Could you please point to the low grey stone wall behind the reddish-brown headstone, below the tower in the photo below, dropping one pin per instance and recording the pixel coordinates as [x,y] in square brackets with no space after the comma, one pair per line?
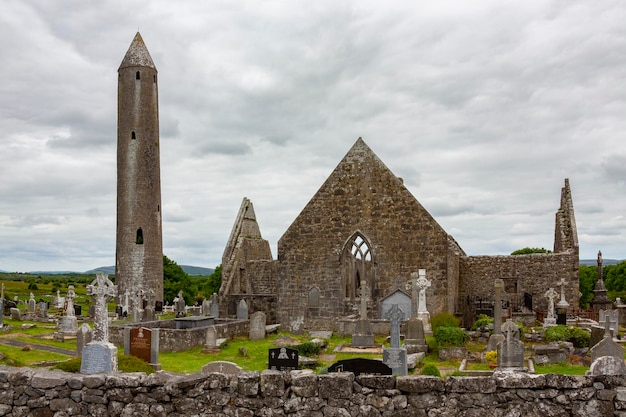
[178,340]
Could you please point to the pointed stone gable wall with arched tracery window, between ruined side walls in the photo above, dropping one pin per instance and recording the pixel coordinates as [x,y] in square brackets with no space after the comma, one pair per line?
[362,224]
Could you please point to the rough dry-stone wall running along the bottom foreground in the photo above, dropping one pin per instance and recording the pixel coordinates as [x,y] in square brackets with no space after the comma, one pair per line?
[27,392]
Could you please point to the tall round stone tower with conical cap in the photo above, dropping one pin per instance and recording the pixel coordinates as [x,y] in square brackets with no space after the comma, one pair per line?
[139,243]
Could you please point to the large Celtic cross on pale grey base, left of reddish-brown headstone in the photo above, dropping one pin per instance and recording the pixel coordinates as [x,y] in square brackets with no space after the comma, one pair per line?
[100,355]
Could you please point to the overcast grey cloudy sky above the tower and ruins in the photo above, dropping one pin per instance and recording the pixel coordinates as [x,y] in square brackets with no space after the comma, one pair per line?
[482,107]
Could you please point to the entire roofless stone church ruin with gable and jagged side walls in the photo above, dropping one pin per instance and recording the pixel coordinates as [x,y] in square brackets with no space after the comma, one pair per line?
[364,225]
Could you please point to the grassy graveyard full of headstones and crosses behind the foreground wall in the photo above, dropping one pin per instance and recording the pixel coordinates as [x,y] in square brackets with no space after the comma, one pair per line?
[31,327]
